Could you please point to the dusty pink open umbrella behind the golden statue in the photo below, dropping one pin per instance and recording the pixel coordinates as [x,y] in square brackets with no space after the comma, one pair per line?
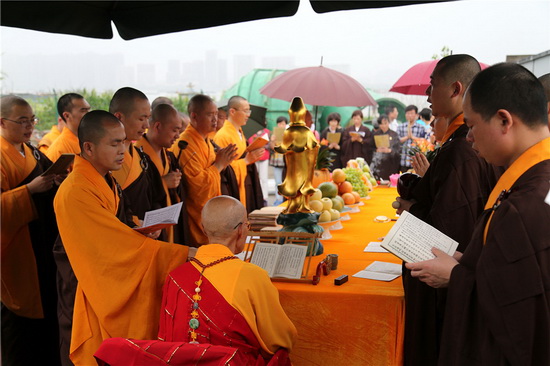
[319,86]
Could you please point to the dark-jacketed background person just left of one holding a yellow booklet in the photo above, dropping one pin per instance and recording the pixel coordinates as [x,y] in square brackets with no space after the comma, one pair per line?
[356,140]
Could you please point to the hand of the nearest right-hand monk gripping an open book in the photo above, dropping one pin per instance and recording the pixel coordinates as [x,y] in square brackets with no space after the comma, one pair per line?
[434,272]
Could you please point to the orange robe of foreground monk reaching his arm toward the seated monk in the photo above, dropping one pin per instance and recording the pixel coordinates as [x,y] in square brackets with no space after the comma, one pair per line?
[120,272]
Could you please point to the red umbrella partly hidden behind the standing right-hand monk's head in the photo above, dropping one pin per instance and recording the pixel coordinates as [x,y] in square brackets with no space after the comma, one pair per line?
[416,80]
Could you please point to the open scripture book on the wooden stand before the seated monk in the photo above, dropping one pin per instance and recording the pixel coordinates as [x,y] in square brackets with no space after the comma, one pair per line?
[285,260]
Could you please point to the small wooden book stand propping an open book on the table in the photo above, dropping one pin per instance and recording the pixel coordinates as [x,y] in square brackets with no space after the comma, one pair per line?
[279,238]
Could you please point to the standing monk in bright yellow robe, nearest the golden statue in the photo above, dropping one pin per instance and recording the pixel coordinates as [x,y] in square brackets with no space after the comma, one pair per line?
[232,133]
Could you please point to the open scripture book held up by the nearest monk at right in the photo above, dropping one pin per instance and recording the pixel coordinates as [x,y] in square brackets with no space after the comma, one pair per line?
[412,240]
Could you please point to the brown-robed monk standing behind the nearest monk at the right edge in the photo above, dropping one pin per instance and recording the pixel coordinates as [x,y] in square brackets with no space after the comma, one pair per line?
[450,197]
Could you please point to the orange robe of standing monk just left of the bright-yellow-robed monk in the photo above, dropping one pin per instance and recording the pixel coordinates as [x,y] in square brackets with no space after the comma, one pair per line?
[202,179]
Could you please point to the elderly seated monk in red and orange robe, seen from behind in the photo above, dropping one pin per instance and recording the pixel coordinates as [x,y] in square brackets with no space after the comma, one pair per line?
[217,307]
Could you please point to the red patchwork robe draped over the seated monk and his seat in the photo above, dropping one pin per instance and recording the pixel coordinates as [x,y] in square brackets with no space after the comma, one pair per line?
[223,335]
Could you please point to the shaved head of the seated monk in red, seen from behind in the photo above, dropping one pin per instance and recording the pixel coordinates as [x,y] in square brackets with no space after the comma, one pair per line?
[220,215]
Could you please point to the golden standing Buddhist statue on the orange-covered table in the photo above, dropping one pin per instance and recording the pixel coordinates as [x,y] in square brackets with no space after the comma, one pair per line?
[300,149]
